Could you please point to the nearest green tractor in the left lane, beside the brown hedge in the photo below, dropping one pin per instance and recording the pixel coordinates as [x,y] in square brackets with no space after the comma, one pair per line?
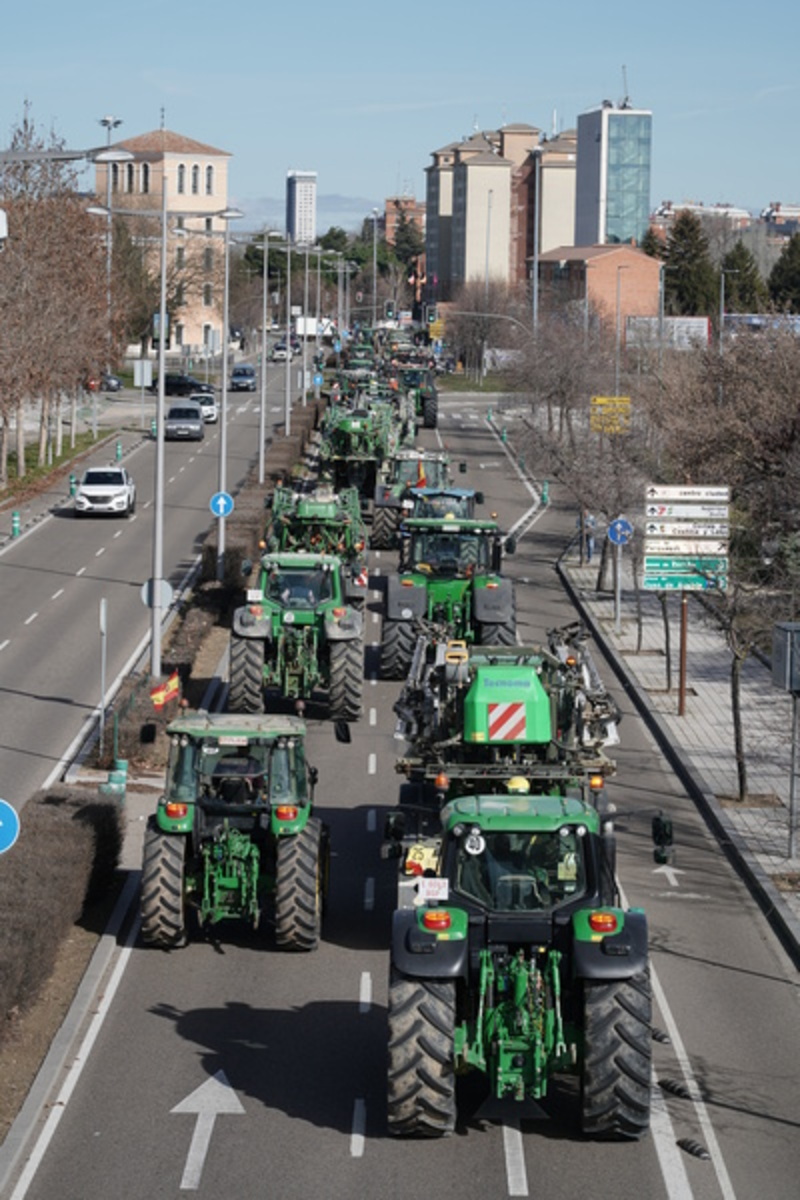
[234,832]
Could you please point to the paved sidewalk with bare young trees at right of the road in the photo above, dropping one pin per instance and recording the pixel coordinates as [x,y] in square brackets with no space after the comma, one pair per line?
[700,745]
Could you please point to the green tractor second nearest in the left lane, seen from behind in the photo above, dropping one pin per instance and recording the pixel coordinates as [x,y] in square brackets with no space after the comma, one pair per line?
[297,634]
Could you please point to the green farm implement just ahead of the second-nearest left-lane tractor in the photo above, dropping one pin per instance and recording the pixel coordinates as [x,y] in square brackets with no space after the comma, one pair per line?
[323,521]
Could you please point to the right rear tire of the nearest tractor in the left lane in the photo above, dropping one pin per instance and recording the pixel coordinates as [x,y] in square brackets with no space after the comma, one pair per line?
[300,886]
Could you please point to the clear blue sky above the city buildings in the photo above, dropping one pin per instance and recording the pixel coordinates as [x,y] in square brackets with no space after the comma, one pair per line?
[363,93]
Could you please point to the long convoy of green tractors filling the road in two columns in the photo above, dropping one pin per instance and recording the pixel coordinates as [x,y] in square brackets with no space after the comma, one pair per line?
[510,952]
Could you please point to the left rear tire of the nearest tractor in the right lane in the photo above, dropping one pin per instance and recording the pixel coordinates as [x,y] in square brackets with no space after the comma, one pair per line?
[422,1095]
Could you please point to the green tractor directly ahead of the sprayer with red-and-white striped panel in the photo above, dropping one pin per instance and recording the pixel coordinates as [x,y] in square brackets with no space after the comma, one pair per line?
[449,586]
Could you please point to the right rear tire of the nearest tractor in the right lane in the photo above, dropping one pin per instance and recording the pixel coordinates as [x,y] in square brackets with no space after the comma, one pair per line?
[618,1052]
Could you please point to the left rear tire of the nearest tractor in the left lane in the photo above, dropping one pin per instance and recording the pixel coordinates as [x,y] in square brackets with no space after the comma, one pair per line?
[164,905]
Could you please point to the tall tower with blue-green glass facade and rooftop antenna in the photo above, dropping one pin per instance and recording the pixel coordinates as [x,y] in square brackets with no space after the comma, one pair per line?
[613,176]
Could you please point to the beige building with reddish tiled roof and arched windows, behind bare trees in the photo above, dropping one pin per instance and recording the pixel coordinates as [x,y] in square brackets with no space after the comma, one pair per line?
[196,179]
